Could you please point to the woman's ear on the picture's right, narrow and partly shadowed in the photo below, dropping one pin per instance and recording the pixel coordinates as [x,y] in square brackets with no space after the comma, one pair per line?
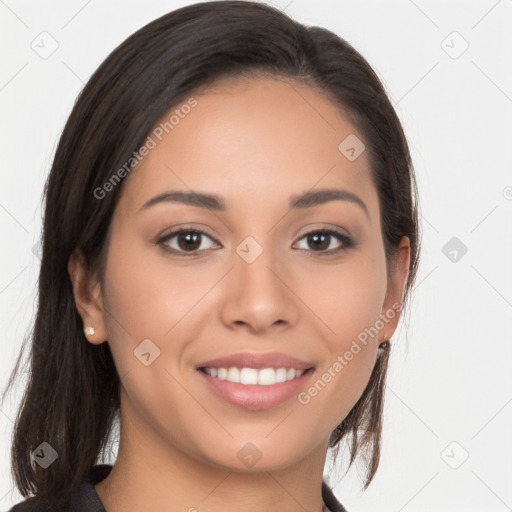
[399,272]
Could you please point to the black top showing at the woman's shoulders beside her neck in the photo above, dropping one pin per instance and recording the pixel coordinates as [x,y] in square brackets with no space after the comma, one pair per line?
[86,498]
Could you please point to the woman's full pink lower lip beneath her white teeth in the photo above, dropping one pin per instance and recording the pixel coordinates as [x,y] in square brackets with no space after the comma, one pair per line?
[254,396]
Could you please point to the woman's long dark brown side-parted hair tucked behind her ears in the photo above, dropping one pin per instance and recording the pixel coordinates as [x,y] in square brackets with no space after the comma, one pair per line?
[72,395]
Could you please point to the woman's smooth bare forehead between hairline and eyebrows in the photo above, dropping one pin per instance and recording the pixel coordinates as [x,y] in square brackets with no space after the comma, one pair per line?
[251,138]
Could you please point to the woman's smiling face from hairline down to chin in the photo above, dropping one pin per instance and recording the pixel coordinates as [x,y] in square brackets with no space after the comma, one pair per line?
[267,265]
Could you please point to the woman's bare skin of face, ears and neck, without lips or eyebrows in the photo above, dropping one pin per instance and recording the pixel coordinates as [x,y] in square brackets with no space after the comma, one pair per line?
[256,143]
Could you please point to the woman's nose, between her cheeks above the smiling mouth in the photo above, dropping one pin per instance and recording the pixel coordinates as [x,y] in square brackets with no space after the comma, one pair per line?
[258,296]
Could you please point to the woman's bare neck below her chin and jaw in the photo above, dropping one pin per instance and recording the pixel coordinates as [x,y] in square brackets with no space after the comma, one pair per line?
[149,475]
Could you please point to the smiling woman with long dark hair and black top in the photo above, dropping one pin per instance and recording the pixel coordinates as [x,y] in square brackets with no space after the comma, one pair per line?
[230,235]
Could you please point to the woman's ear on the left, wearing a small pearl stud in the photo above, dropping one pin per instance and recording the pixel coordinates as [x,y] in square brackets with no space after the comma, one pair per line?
[88,300]
